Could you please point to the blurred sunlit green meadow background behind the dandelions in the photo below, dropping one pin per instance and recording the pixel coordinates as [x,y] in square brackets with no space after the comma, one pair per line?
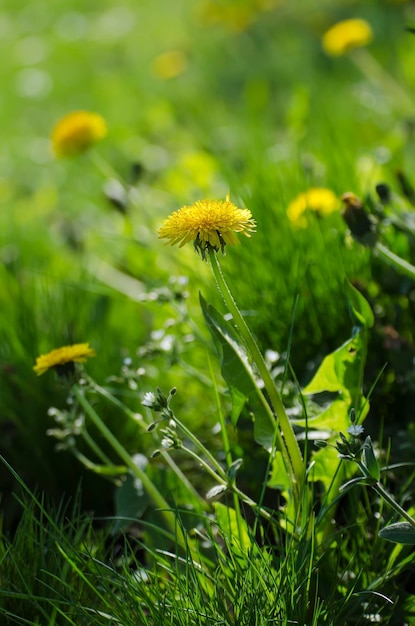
[202,100]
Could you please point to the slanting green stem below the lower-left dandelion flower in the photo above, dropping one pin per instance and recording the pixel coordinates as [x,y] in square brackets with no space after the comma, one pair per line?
[151,489]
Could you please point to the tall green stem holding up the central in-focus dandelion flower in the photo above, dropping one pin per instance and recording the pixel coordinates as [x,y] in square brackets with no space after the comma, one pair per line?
[292,447]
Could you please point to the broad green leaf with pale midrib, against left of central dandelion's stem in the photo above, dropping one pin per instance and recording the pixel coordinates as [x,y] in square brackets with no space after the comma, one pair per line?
[238,373]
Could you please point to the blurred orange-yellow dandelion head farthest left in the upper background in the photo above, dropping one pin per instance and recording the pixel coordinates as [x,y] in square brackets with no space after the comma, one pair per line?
[76,132]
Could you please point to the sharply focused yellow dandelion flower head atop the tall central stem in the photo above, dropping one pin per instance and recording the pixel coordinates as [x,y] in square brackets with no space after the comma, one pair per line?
[210,224]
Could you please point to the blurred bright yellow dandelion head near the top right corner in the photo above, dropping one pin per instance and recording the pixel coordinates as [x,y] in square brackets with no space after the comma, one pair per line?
[345,35]
